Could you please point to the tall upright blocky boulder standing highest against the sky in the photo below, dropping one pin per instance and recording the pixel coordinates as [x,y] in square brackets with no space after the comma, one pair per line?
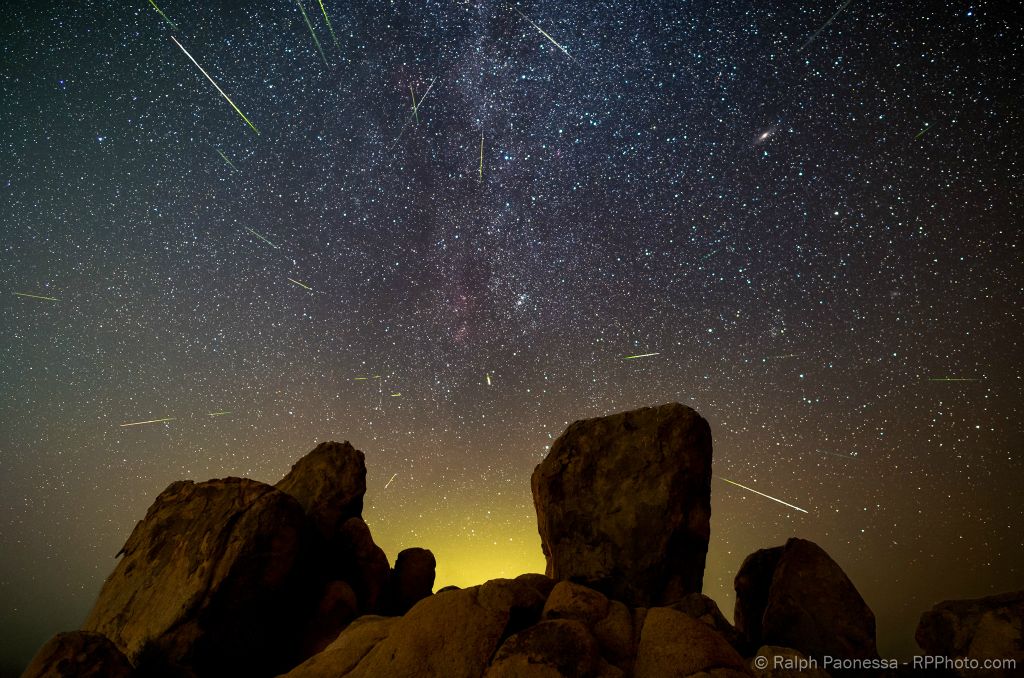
[624,504]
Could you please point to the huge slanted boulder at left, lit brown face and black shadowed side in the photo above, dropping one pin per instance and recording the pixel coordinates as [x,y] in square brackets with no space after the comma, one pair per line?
[211,579]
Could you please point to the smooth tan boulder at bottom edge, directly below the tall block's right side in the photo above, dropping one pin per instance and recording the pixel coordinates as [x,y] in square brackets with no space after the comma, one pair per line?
[676,646]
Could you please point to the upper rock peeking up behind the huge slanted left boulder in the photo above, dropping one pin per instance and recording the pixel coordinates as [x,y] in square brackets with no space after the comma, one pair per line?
[329,484]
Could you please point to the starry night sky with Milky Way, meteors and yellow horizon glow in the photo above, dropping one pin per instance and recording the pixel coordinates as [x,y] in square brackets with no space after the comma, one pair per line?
[808,211]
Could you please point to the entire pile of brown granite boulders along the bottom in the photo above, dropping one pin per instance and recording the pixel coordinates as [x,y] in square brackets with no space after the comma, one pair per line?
[238,578]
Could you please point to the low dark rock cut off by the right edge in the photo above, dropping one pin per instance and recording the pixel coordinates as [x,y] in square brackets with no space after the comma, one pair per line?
[984,629]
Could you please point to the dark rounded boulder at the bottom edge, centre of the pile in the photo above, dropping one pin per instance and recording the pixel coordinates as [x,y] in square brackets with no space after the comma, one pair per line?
[559,648]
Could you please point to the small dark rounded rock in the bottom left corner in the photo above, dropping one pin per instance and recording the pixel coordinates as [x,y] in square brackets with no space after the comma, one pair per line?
[79,655]
